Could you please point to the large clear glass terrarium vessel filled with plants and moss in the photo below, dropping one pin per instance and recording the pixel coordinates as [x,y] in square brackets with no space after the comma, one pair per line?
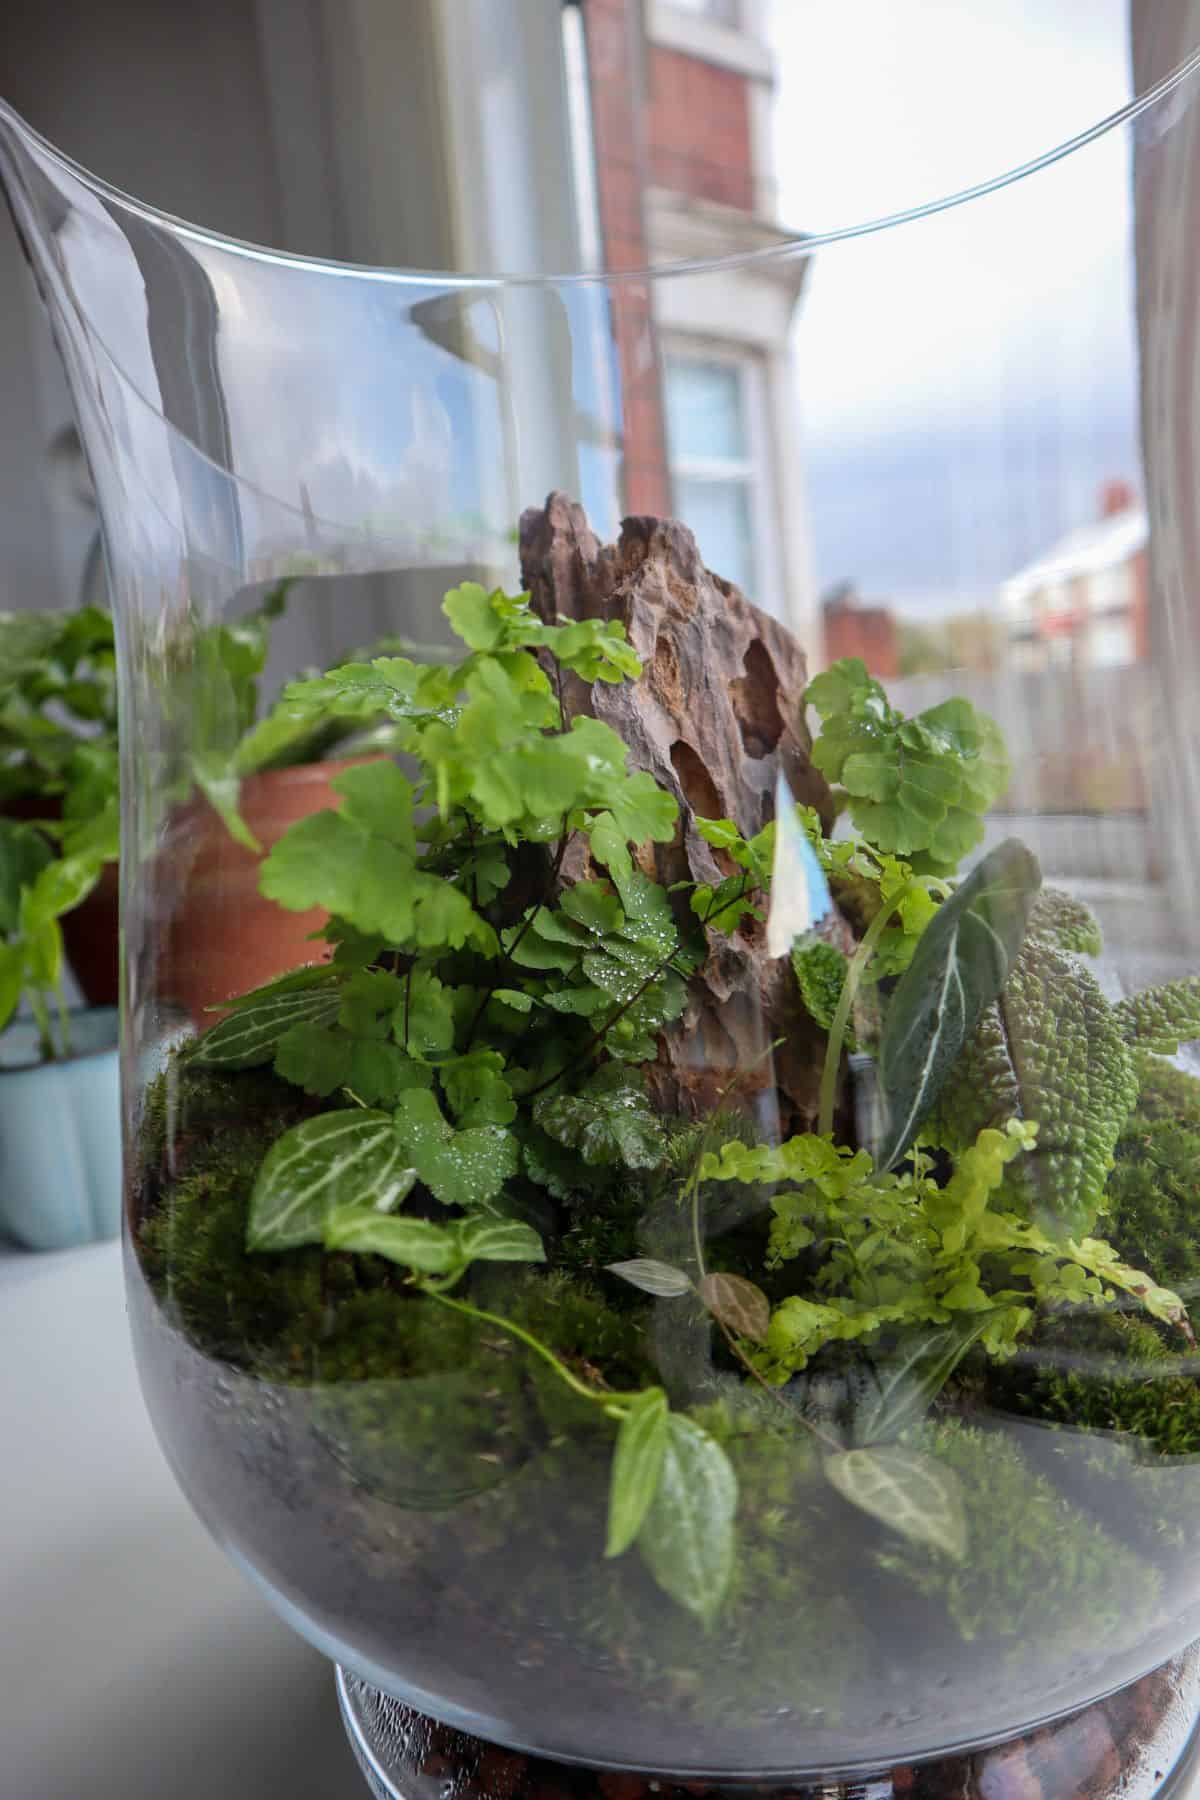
[659,1156]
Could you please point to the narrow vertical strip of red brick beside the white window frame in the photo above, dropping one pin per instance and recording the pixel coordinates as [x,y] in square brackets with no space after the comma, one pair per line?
[614,60]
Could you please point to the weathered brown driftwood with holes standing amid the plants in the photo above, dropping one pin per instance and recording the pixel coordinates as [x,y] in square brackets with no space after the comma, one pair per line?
[715,717]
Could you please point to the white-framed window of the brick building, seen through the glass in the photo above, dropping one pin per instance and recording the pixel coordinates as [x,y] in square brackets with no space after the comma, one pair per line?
[713,463]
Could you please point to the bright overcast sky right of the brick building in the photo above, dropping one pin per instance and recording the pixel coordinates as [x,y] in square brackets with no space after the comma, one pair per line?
[967,382]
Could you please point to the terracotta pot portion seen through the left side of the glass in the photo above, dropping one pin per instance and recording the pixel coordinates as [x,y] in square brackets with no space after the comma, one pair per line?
[219,935]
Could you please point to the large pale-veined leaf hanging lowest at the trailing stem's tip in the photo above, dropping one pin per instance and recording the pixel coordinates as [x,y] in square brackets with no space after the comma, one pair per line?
[688,1533]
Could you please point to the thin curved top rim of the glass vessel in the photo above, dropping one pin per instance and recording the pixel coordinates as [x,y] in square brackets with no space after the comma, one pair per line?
[766,255]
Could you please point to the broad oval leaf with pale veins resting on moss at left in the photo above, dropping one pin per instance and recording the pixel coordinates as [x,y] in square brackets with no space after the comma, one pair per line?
[337,1160]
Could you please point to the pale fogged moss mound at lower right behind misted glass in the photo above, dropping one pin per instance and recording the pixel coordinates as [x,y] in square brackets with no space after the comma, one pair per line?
[1039,1572]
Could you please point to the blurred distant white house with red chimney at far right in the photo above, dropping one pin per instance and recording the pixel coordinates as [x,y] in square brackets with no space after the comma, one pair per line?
[1086,602]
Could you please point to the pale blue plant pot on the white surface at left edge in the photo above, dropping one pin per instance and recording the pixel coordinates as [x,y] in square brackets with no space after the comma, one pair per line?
[60,1135]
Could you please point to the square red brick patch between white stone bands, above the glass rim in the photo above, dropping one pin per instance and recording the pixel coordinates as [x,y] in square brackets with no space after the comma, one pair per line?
[701,130]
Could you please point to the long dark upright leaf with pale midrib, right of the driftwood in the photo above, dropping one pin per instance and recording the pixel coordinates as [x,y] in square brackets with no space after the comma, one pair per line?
[958,969]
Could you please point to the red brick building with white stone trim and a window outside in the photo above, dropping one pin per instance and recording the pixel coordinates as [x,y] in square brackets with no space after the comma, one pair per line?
[681,112]
